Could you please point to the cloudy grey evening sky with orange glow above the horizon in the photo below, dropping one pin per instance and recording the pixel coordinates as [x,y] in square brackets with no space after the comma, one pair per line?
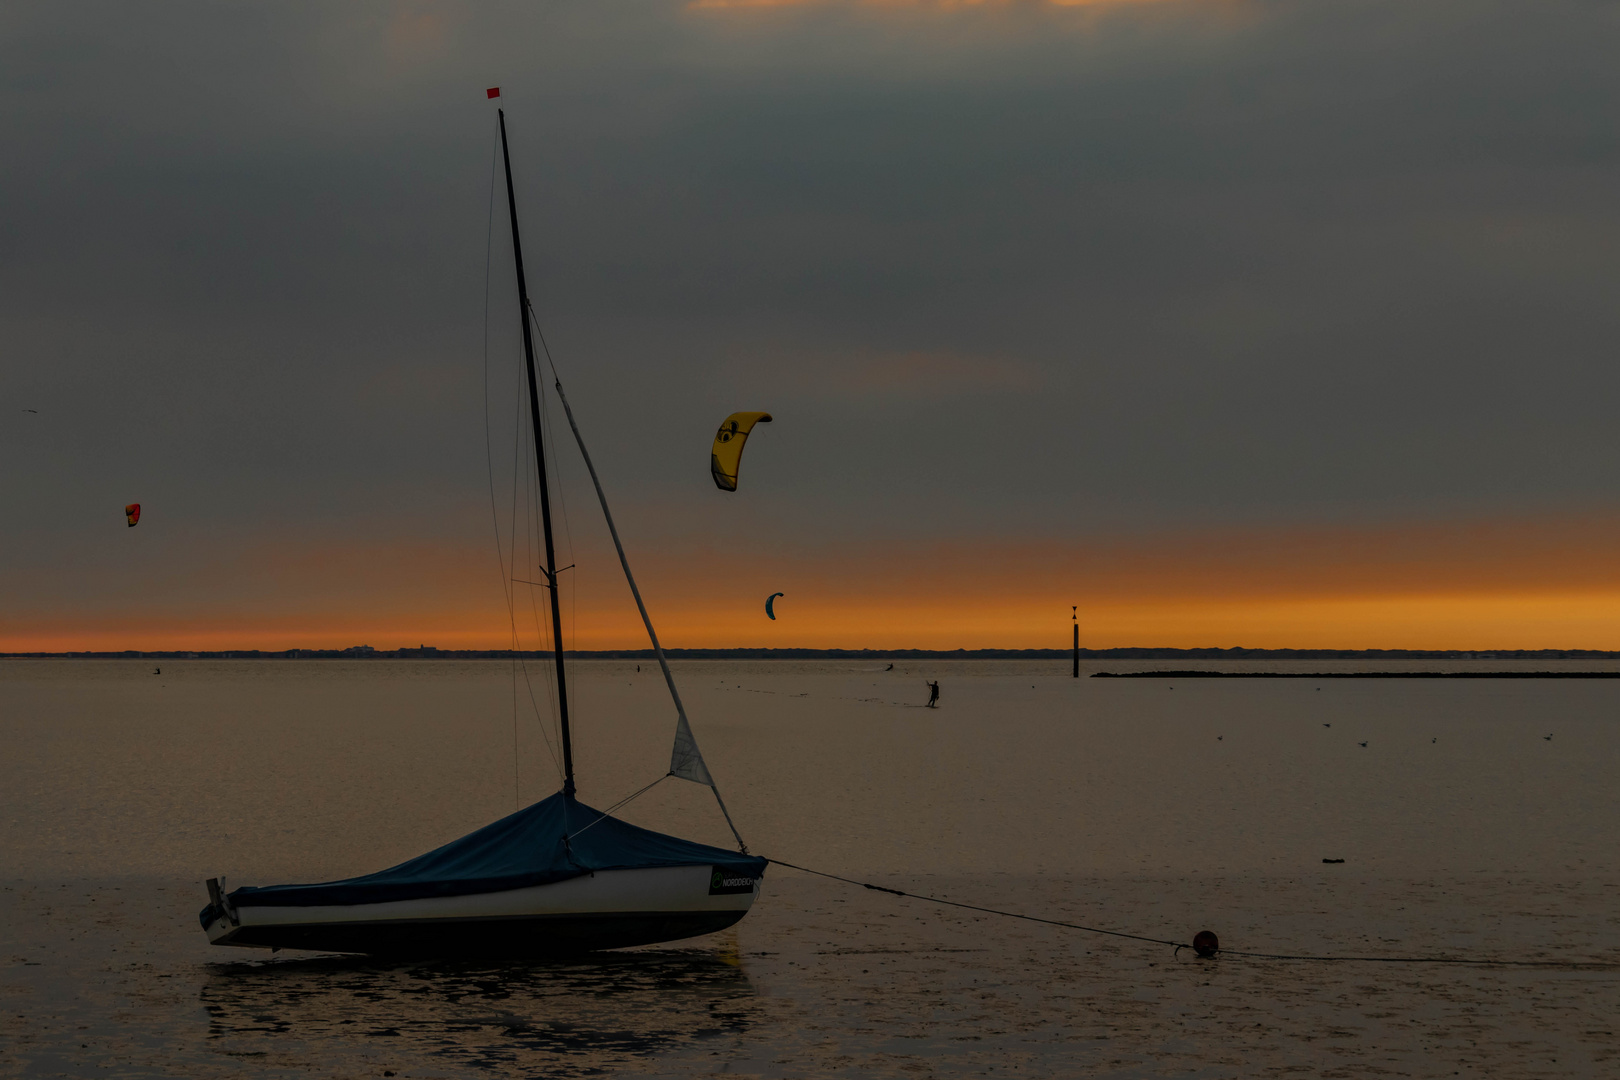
[1230,323]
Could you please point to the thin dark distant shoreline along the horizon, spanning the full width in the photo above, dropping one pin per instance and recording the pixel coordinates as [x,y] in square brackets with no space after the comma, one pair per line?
[430,653]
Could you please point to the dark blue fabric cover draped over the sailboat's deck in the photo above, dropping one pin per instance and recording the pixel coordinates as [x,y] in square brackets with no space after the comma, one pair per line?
[524,849]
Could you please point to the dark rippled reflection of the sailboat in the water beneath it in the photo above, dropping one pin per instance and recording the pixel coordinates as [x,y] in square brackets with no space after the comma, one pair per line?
[568,1018]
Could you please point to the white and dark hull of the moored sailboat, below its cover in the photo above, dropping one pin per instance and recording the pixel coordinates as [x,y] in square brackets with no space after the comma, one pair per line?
[612,909]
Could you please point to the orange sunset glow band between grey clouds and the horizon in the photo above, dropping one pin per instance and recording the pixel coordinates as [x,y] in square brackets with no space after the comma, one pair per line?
[1473,585]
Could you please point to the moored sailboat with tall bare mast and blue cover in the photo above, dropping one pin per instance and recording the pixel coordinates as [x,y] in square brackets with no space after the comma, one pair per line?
[553,878]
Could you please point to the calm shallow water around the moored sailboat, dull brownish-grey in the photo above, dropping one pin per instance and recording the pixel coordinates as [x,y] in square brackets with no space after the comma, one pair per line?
[1141,806]
